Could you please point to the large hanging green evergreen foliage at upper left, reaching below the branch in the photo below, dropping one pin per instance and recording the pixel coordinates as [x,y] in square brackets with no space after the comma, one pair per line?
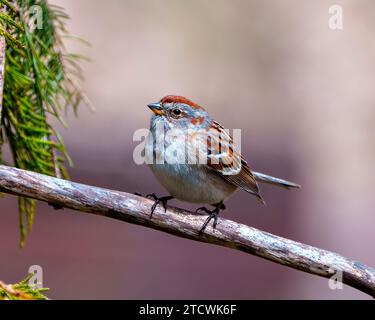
[40,82]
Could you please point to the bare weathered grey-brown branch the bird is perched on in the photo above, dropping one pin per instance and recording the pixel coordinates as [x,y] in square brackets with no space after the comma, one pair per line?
[135,209]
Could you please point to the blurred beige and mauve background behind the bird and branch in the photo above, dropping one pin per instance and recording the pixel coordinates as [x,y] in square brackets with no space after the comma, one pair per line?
[303,96]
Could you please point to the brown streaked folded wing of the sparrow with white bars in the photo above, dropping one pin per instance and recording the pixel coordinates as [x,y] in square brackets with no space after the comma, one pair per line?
[224,159]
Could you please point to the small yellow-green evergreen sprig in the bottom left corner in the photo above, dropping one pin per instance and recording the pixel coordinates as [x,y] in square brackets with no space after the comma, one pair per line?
[21,291]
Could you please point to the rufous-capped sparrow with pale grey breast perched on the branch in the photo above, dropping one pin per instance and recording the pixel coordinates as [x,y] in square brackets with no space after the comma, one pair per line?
[221,170]
